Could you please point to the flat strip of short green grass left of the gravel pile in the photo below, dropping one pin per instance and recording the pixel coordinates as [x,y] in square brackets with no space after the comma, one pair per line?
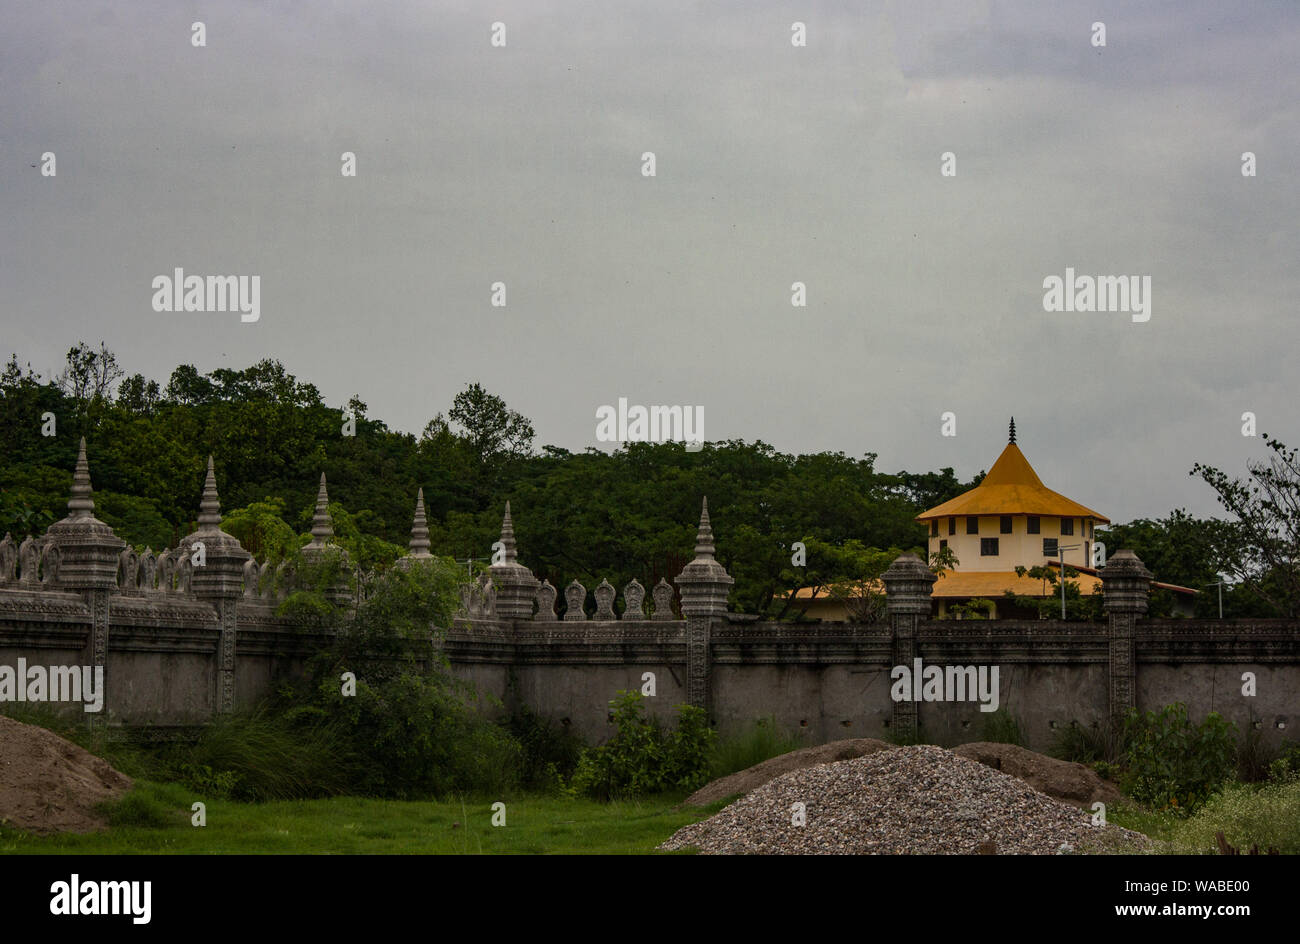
[155,820]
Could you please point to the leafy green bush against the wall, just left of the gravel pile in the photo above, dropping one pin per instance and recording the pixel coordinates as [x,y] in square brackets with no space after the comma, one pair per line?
[643,759]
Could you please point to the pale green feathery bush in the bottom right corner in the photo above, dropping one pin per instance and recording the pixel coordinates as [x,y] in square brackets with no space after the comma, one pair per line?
[1268,817]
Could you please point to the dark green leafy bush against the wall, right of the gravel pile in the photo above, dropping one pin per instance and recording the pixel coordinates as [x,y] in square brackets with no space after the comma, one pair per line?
[1175,764]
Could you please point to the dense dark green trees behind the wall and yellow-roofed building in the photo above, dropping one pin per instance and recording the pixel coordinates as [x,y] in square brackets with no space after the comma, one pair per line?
[578,516]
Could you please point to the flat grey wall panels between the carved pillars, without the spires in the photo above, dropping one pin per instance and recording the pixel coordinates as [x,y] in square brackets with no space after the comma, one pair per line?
[824,682]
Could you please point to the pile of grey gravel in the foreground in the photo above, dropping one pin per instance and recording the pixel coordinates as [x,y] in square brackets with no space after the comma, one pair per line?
[917,800]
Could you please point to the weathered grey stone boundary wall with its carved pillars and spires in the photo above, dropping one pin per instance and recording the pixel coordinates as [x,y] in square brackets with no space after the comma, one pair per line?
[181,644]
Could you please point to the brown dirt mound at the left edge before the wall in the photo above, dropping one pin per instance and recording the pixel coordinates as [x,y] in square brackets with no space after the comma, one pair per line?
[49,785]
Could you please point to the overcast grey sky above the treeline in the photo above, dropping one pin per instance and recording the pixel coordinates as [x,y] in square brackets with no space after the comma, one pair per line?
[774,164]
